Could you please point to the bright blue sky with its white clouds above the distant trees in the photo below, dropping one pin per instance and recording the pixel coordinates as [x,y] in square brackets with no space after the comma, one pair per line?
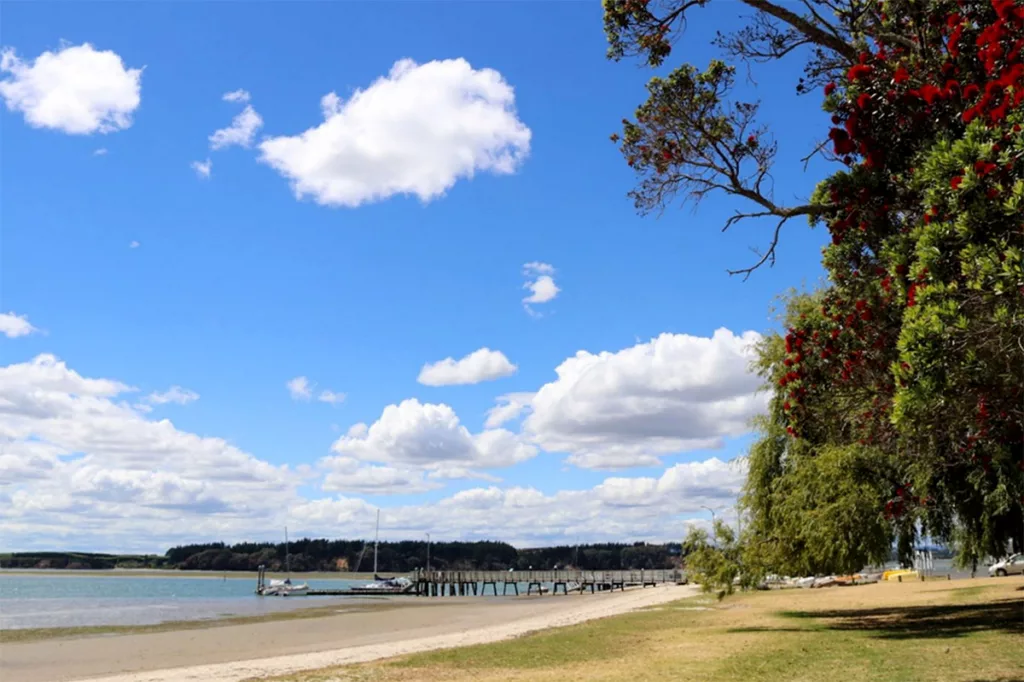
[237,286]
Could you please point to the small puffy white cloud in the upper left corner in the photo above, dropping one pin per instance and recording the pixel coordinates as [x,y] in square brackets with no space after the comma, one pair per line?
[76,90]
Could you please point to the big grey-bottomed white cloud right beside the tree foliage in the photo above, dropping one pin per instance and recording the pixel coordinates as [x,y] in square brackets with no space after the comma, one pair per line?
[674,394]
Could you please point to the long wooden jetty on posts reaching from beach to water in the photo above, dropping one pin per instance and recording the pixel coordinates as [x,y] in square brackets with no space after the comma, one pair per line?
[468,583]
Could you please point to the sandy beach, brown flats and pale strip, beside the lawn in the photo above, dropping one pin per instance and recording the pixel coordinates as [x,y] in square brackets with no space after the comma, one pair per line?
[235,653]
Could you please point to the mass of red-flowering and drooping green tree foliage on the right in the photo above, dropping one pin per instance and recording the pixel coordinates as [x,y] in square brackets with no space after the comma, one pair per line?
[899,390]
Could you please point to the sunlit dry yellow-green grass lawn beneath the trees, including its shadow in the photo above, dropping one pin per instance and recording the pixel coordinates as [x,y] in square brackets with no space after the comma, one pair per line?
[967,631]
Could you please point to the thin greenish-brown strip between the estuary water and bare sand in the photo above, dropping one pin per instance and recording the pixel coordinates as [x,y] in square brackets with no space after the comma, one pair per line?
[37,634]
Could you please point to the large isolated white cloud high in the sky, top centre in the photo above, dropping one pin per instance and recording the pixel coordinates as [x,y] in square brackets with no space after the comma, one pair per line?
[416,132]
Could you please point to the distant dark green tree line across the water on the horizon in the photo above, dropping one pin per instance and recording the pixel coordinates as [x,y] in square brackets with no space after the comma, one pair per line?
[358,556]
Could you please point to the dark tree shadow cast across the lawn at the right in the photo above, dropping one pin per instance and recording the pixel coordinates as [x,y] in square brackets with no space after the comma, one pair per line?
[931,622]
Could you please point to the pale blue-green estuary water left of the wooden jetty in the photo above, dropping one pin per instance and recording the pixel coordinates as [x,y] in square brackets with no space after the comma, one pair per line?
[44,600]
